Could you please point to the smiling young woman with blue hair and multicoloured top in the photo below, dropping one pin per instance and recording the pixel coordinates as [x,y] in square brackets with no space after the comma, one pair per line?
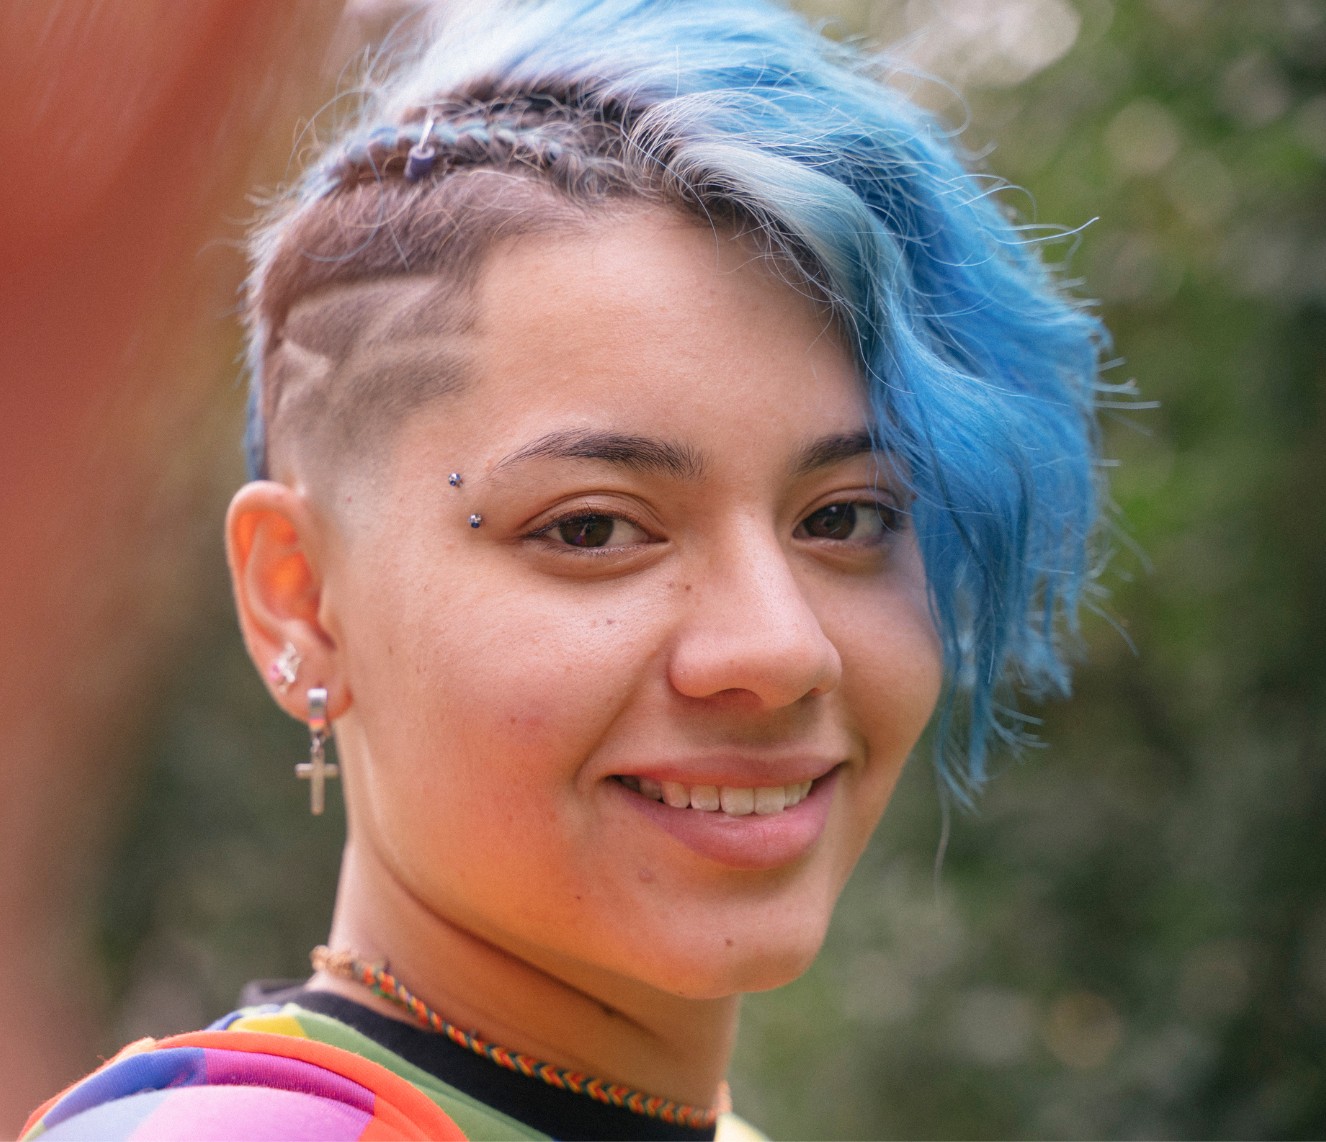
[654,429]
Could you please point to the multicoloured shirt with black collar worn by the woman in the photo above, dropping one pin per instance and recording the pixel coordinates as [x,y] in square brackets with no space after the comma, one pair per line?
[290,1072]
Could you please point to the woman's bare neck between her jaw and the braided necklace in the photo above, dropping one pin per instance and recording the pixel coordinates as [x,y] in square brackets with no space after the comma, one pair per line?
[572,1015]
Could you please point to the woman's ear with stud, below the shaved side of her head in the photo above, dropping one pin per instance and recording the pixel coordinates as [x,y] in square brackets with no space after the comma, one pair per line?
[272,540]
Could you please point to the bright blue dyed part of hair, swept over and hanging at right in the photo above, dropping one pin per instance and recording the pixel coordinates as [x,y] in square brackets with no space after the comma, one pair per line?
[982,372]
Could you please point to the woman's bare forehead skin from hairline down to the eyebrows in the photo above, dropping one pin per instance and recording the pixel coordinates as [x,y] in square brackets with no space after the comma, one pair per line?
[645,328]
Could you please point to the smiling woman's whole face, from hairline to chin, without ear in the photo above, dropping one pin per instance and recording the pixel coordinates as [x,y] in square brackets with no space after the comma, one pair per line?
[693,587]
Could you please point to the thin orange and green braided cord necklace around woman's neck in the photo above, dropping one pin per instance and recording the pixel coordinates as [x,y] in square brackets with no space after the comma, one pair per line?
[348,966]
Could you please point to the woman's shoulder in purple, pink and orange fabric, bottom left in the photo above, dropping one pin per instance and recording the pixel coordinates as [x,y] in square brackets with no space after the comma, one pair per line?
[257,1075]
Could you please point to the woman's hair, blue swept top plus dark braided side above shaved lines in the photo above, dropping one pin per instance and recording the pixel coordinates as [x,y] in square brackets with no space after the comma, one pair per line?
[981,371]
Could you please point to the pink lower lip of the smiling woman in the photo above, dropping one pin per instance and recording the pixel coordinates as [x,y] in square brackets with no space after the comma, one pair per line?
[753,843]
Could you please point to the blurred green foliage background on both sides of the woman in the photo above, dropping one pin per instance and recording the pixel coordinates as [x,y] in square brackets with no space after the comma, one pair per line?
[1129,937]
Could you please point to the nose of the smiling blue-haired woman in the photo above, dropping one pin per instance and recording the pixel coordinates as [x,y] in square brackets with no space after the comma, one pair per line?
[751,631]
